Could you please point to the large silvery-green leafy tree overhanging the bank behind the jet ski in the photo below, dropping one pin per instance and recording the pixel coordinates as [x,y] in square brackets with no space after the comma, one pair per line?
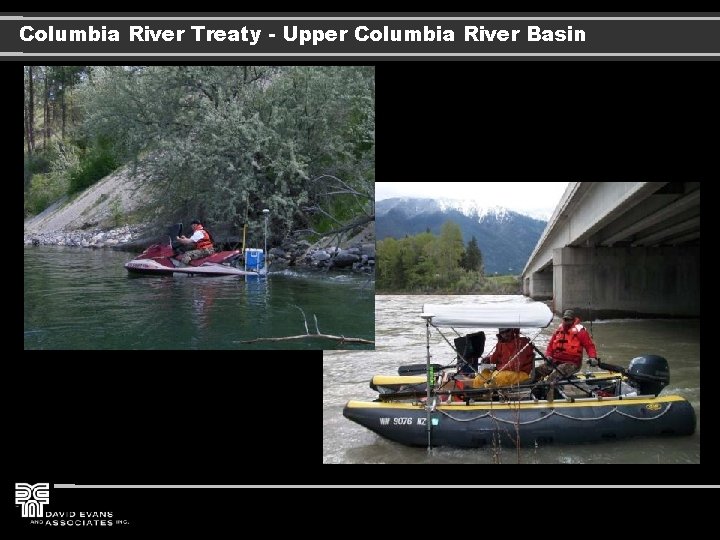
[224,142]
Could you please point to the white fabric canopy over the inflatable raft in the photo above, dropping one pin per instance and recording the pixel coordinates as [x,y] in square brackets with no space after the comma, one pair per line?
[491,315]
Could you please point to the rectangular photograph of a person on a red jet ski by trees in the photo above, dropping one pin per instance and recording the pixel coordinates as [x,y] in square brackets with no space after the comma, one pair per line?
[199,207]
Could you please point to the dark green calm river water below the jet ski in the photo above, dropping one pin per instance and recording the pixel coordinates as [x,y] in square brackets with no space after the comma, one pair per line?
[79,298]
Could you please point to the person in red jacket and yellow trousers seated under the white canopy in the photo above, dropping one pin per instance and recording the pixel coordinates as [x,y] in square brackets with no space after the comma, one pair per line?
[513,358]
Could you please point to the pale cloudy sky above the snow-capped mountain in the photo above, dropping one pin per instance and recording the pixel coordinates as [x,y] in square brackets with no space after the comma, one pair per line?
[537,199]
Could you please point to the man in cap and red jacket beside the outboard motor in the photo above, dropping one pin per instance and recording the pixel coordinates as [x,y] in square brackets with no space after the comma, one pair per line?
[565,349]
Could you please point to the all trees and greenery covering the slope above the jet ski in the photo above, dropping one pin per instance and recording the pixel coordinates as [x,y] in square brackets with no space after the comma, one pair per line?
[219,143]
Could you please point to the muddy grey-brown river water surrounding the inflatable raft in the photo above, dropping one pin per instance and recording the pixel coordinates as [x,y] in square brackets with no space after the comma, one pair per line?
[400,339]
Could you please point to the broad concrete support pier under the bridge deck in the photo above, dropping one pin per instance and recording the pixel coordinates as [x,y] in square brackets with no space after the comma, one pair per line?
[611,282]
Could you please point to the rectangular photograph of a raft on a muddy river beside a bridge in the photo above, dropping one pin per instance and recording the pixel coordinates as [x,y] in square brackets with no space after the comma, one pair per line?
[526,322]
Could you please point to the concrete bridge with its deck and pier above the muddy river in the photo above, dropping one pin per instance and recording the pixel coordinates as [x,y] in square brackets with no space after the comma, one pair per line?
[621,249]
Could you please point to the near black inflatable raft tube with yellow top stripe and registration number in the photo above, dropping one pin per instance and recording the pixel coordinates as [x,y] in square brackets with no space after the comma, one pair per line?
[526,423]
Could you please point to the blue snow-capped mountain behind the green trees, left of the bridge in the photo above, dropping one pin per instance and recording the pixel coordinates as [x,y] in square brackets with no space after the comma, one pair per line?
[506,238]
